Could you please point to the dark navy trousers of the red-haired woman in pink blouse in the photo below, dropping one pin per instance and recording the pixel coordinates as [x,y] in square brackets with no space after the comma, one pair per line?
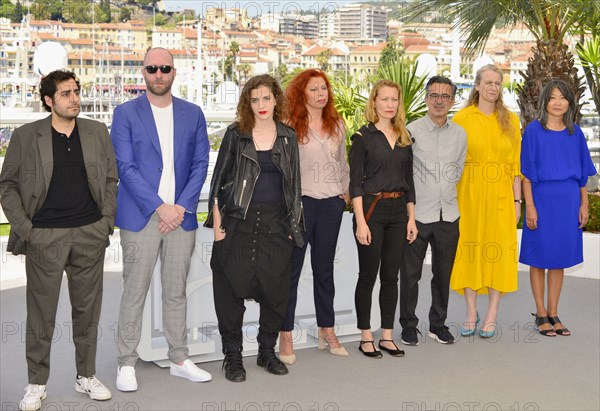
[322,218]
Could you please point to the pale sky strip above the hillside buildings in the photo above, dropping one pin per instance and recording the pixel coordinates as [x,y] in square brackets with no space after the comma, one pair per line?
[257,7]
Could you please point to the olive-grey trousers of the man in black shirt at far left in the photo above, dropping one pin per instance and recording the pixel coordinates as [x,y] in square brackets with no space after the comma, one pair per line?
[79,252]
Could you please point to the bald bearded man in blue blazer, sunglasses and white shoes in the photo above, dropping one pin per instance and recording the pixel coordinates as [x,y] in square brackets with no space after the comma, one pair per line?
[161,146]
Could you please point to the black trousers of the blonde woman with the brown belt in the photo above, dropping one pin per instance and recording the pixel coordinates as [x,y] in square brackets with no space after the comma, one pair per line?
[388,235]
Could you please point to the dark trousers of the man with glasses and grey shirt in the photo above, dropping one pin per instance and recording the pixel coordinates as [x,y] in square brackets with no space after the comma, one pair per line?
[443,237]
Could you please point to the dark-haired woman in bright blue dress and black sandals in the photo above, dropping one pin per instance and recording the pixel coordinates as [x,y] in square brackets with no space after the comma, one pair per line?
[556,163]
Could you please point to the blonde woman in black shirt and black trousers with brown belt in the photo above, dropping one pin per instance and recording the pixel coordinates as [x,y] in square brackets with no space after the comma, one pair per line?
[383,196]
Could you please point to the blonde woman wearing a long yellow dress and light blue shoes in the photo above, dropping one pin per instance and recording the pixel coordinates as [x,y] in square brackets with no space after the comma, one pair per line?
[489,200]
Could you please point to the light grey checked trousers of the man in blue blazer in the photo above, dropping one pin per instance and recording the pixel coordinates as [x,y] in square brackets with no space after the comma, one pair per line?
[140,253]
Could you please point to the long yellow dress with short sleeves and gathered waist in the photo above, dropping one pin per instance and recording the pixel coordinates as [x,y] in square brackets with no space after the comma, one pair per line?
[487,252]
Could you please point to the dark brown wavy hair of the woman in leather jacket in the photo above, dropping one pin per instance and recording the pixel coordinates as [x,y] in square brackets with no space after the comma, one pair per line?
[244,113]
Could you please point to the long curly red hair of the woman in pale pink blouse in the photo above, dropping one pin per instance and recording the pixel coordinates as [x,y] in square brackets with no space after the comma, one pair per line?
[296,96]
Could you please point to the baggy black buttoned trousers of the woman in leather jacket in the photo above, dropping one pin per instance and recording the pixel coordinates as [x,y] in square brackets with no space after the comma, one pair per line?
[253,261]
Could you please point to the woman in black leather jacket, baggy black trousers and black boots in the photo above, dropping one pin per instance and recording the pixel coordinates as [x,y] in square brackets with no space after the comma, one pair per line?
[255,211]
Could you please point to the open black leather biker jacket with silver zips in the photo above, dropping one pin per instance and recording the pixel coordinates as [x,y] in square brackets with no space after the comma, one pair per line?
[237,169]
